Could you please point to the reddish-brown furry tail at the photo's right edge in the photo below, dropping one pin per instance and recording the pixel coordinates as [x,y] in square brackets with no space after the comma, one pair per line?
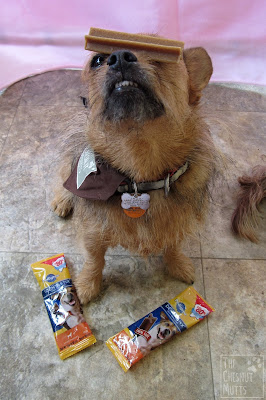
[245,218]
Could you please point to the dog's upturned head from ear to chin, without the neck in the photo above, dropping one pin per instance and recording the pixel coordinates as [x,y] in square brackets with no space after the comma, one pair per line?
[127,85]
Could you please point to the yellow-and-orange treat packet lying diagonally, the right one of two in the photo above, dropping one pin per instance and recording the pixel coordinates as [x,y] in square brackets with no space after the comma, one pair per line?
[137,340]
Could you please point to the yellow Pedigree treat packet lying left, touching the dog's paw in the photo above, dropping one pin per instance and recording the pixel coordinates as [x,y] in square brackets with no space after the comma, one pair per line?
[71,331]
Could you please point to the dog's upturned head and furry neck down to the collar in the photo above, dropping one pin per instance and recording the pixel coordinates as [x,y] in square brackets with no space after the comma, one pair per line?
[139,107]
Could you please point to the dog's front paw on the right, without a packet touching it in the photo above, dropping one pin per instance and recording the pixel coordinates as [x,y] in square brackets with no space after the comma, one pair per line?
[182,269]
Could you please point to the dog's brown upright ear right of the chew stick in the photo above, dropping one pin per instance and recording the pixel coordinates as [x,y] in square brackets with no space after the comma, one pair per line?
[199,67]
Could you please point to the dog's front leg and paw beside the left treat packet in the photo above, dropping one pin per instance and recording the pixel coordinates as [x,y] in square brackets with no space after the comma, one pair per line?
[88,282]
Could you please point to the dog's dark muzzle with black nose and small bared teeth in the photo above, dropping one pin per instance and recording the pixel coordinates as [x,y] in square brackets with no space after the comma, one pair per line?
[127,92]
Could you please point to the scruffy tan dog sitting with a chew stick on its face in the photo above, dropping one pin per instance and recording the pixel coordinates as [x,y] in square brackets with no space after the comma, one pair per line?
[144,126]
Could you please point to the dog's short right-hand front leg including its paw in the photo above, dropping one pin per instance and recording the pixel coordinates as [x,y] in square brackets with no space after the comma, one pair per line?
[179,266]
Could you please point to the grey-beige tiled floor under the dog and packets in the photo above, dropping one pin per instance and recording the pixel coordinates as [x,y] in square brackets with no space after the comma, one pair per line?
[35,113]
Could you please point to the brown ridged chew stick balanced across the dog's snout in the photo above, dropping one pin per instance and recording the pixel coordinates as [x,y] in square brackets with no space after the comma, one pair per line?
[159,49]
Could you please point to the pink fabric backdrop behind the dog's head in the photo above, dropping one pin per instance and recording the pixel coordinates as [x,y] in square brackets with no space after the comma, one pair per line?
[37,36]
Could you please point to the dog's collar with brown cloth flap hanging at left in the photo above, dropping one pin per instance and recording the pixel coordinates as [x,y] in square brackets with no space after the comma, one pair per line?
[104,183]
